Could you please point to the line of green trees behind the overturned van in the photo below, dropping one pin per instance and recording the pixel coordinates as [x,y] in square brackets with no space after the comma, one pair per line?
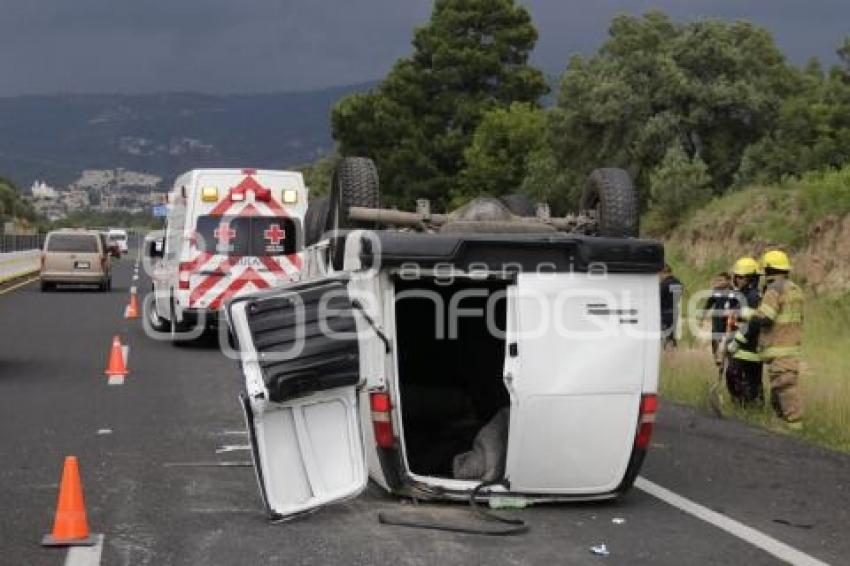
[691,110]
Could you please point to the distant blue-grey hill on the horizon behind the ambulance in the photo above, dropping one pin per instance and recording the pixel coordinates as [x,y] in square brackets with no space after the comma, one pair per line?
[56,137]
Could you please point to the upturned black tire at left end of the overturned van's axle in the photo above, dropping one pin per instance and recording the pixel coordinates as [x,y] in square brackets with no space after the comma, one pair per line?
[355,183]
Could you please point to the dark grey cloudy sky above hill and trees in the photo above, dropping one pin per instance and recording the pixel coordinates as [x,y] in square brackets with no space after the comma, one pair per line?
[222,46]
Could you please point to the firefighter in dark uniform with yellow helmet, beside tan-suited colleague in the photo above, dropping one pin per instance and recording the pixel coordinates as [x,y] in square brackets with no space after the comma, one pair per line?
[744,368]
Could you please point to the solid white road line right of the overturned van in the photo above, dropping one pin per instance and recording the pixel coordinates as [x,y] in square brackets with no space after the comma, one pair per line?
[748,534]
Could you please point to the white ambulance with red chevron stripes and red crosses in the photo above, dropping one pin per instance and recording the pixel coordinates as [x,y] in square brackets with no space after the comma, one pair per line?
[228,232]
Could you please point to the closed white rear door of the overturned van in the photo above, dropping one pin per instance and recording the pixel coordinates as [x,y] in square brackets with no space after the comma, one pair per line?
[575,370]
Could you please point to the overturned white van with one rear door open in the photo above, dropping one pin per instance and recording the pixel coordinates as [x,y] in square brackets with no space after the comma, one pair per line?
[435,362]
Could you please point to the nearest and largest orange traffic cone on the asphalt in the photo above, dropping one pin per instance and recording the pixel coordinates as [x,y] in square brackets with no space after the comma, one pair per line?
[70,526]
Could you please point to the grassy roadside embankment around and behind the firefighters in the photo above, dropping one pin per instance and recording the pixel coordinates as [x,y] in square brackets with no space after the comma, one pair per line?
[746,222]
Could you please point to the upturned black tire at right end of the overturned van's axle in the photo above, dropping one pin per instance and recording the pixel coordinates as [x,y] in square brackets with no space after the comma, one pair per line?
[611,193]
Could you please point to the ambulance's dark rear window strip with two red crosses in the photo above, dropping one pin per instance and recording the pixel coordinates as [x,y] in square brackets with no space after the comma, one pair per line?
[246,235]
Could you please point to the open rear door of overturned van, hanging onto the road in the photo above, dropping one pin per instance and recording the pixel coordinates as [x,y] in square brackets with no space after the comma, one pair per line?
[300,359]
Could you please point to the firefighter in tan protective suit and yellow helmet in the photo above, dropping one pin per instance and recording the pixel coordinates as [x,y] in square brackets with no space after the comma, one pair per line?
[778,321]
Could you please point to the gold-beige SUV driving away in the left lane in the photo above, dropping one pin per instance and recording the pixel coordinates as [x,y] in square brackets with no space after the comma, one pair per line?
[76,257]
